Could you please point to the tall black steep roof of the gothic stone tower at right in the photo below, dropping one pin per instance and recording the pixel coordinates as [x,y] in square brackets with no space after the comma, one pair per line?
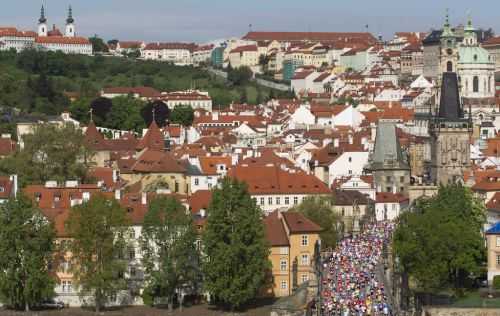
[449,105]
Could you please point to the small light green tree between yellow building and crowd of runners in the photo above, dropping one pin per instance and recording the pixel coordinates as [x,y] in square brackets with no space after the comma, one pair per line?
[319,210]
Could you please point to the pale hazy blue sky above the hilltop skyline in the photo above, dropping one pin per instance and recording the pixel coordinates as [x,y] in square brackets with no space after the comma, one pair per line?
[205,20]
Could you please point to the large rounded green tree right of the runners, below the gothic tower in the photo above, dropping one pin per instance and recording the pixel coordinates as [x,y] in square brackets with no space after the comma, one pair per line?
[440,244]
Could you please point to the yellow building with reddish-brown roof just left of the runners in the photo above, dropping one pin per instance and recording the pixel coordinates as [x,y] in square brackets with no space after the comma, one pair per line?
[293,239]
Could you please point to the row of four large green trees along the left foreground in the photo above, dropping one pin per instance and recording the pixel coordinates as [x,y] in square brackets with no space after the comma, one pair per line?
[232,265]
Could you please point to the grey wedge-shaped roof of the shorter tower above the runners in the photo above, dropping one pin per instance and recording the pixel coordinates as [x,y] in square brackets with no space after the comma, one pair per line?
[387,153]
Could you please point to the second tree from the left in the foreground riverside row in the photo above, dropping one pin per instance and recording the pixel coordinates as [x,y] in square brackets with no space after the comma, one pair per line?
[99,228]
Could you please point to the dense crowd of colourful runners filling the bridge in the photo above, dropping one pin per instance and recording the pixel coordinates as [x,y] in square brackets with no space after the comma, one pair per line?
[351,285]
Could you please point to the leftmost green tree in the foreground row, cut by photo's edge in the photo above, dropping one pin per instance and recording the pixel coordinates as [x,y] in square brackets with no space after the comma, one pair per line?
[26,245]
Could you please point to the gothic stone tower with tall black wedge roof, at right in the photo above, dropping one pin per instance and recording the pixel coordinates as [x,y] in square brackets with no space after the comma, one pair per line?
[450,132]
